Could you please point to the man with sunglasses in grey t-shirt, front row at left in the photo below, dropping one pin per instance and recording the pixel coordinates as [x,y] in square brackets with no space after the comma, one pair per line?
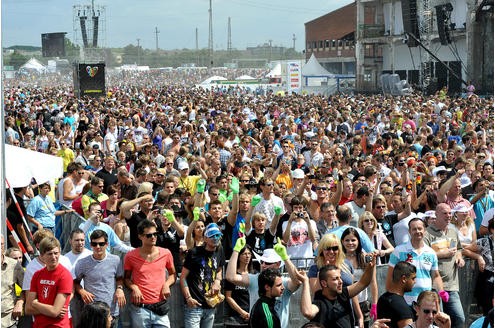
[101,275]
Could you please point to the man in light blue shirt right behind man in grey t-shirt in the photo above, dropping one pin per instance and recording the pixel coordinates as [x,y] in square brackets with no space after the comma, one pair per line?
[95,222]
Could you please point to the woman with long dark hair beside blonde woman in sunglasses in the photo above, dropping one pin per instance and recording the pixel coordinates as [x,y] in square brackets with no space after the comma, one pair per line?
[356,257]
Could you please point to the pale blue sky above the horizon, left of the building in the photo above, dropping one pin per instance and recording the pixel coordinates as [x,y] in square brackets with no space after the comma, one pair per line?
[253,22]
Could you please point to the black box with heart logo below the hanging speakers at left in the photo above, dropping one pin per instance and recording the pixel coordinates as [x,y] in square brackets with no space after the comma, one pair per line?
[89,80]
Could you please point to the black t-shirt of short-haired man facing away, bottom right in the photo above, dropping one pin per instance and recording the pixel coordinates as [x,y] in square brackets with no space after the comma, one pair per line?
[393,307]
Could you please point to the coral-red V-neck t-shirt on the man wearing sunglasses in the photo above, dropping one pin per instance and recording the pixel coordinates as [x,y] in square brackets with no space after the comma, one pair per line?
[149,276]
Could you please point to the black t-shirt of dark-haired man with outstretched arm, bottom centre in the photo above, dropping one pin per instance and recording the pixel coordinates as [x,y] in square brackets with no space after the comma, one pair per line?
[334,313]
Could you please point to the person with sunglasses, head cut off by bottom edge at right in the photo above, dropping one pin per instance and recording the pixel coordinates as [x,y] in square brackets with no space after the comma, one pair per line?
[428,312]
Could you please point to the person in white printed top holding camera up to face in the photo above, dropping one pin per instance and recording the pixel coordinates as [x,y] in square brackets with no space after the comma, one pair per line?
[300,232]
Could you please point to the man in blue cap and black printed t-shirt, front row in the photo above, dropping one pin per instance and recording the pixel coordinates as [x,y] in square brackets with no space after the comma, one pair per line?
[202,276]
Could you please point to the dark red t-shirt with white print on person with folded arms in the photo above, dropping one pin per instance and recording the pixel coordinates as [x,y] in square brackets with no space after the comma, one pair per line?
[47,284]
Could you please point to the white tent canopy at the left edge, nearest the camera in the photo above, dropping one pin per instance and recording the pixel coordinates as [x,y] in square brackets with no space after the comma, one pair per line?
[22,164]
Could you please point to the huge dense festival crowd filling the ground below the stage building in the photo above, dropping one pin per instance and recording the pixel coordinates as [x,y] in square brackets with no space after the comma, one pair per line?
[221,190]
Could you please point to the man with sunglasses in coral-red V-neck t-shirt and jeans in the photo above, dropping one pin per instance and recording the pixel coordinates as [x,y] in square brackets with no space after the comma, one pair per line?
[149,272]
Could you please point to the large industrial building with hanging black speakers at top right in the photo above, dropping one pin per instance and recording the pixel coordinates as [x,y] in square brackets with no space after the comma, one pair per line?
[429,43]
